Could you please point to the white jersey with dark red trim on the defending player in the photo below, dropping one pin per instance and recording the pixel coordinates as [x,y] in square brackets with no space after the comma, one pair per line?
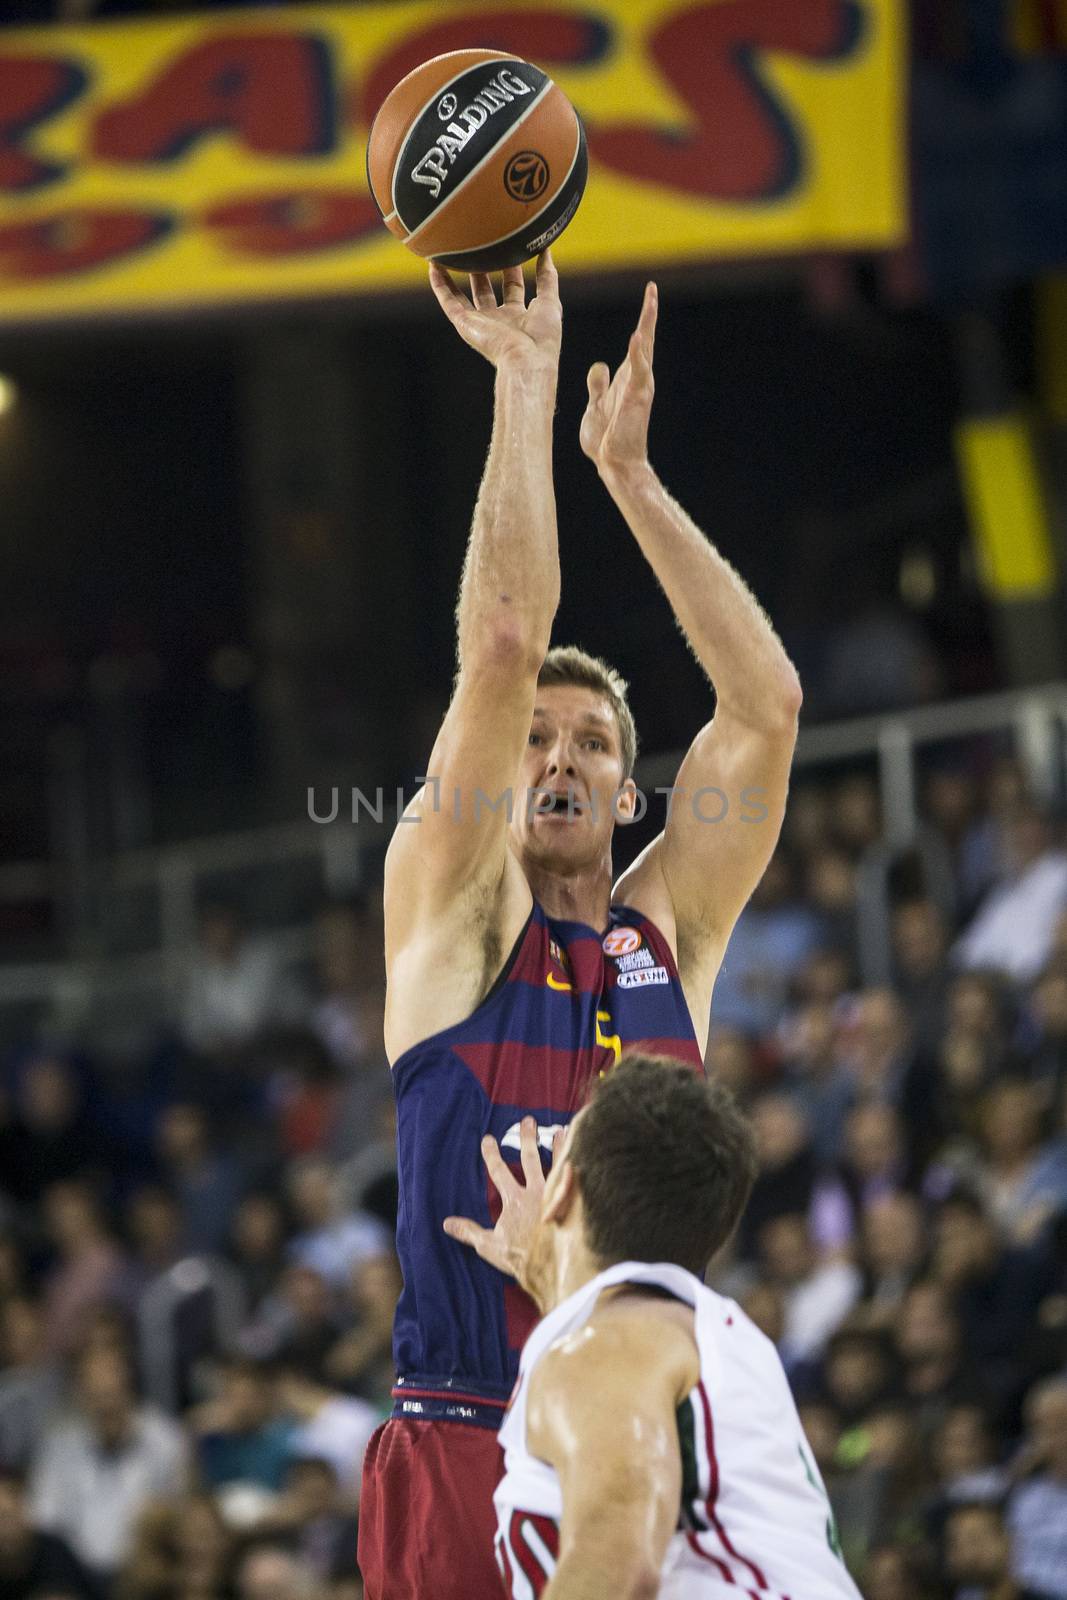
[754,1518]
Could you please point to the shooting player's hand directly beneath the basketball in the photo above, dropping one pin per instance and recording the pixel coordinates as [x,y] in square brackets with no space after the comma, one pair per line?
[513,332]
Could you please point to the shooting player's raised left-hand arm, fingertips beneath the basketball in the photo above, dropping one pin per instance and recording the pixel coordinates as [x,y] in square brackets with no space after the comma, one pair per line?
[444,873]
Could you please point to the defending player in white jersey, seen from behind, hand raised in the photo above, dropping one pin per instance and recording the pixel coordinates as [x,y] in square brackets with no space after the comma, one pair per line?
[653,1446]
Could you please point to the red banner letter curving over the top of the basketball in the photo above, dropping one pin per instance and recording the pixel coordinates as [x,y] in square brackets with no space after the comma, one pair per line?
[537,34]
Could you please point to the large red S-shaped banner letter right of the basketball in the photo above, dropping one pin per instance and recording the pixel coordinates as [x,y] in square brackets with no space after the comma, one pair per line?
[745,145]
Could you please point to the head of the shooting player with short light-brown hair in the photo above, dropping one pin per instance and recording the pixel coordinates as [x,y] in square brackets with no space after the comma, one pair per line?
[577,780]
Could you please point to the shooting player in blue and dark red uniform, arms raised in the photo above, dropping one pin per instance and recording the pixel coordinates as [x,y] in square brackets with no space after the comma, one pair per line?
[518,974]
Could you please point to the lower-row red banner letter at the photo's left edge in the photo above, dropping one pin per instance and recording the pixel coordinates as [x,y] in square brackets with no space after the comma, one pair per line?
[73,242]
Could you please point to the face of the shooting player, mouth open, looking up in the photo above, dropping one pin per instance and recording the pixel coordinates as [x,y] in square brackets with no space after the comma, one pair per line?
[572,783]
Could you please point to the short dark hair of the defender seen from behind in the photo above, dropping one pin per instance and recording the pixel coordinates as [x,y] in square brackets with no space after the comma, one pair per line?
[665,1162]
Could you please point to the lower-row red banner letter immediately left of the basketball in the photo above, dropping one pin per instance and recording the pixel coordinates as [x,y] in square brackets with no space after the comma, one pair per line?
[295,225]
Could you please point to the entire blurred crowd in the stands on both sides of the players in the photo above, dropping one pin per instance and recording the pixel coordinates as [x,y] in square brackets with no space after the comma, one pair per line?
[198,1276]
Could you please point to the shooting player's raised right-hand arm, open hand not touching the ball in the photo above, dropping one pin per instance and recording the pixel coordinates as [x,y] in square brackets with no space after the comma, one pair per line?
[730,796]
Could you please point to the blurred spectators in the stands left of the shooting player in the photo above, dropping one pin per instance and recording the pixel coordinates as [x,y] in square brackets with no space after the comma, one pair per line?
[198,1284]
